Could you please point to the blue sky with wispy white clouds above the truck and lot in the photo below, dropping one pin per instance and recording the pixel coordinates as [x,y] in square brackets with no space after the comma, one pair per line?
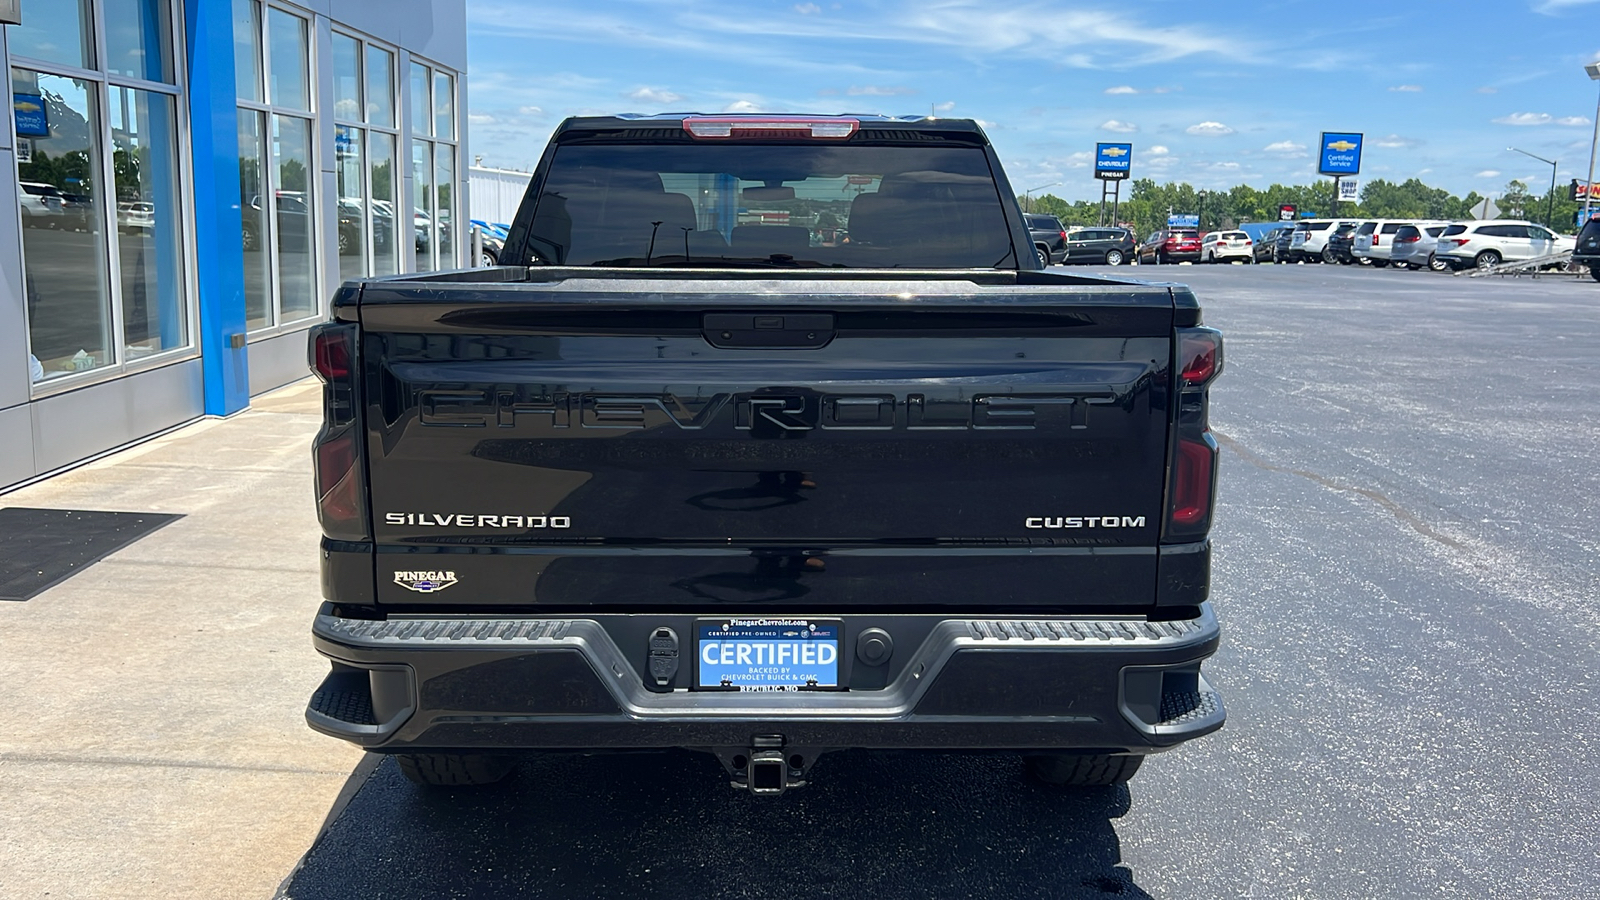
[1214,94]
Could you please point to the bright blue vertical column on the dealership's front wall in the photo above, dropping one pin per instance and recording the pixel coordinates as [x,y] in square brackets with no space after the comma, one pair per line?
[214,126]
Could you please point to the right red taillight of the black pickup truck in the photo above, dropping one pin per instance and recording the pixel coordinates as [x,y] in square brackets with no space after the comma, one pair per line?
[1191,483]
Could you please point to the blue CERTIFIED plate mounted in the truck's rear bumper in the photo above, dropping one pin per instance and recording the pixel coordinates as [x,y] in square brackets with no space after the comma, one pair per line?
[767,656]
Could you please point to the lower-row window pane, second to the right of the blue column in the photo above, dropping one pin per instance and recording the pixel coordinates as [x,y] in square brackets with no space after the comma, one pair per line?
[297,227]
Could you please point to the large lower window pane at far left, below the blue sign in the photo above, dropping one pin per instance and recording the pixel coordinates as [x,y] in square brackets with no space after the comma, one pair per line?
[65,273]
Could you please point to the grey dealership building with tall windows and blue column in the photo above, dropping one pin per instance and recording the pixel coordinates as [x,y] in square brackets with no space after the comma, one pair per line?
[191,183]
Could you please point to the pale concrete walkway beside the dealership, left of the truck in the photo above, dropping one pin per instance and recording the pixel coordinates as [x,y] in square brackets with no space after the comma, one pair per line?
[151,709]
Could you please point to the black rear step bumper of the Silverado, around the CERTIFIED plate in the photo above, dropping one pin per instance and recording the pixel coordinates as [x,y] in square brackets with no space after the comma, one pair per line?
[487,685]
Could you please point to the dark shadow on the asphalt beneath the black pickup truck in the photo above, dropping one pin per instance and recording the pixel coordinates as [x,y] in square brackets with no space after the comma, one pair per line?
[670,826]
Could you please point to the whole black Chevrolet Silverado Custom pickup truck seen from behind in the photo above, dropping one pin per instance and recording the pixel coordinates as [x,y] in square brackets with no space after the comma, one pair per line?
[681,473]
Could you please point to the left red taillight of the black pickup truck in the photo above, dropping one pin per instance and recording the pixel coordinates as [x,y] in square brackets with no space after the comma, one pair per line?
[342,486]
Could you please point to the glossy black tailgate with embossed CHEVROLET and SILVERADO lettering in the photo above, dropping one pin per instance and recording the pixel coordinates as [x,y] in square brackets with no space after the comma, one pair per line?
[753,443]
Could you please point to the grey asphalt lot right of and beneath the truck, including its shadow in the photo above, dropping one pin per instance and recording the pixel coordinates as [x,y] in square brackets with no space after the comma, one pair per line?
[1407,576]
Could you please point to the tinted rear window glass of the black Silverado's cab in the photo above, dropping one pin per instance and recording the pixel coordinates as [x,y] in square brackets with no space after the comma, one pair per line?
[772,206]
